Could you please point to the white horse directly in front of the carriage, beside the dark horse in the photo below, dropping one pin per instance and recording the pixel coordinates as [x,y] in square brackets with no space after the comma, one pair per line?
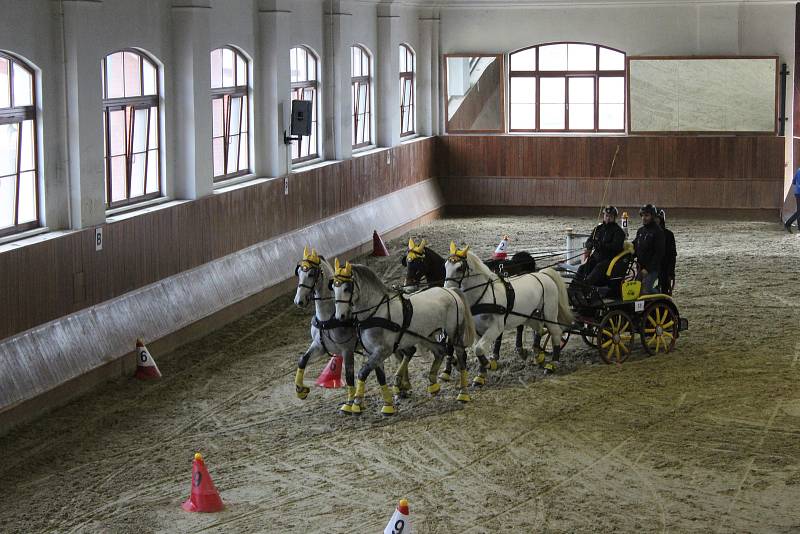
[498,305]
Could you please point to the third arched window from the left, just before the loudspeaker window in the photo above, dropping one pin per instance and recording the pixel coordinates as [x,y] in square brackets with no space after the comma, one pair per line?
[230,113]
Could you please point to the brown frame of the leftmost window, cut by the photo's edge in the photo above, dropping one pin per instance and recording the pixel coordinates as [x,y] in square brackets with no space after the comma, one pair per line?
[18,115]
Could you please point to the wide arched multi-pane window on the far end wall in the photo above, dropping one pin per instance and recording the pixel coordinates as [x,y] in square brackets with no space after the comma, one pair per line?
[567,87]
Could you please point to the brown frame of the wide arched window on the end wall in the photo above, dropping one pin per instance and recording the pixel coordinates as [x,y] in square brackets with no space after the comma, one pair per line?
[596,75]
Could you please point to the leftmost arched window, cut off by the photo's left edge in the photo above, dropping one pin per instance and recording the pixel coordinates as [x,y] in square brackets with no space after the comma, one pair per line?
[19,183]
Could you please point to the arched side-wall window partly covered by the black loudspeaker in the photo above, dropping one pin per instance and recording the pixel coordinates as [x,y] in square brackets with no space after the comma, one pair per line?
[305,86]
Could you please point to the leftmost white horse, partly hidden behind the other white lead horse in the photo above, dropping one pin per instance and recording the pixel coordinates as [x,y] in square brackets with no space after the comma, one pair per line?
[328,334]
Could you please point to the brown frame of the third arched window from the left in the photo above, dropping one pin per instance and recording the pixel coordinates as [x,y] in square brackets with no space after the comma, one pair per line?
[227,94]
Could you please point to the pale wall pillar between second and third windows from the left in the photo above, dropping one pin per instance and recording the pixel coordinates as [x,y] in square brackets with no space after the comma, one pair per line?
[192,99]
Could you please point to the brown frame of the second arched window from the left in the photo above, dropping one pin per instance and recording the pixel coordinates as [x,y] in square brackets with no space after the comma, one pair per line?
[134,103]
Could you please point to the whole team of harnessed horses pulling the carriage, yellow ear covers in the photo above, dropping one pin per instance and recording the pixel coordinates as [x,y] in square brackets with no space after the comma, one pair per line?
[464,304]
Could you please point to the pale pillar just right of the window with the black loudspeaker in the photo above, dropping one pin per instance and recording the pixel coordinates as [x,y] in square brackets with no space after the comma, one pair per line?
[336,83]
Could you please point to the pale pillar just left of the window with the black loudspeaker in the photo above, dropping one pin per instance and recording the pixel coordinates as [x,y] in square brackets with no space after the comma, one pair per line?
[272,89]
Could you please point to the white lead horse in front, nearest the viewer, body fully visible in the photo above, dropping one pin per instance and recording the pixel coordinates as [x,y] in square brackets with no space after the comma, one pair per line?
[389,321]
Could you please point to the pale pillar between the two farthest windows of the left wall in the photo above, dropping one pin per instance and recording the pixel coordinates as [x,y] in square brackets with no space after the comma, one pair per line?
[388,73]
